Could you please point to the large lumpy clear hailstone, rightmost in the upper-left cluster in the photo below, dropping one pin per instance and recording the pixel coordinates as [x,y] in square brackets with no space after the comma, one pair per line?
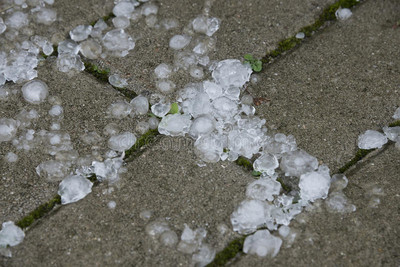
[118,42]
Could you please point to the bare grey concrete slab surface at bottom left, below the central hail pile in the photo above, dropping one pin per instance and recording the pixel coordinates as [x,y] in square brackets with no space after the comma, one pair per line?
[166,180]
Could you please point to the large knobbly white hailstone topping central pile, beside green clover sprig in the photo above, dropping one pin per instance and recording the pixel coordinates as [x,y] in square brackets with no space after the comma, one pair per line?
[231,72]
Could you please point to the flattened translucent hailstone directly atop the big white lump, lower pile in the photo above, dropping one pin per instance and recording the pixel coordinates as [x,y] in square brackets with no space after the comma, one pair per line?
[263,189]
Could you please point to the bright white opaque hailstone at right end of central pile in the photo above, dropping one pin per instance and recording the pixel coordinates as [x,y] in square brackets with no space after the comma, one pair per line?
[314,185]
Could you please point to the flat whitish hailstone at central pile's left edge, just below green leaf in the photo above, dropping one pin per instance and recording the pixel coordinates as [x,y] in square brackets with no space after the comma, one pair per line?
[175,125]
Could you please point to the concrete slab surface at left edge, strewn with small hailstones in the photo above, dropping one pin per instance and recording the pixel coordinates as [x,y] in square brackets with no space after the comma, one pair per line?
[85,103]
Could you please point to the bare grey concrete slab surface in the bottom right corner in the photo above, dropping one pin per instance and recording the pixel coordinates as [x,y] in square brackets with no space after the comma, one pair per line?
[367,237]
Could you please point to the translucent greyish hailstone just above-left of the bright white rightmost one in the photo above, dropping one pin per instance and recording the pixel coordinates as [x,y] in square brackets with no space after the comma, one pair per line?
[296,163]
